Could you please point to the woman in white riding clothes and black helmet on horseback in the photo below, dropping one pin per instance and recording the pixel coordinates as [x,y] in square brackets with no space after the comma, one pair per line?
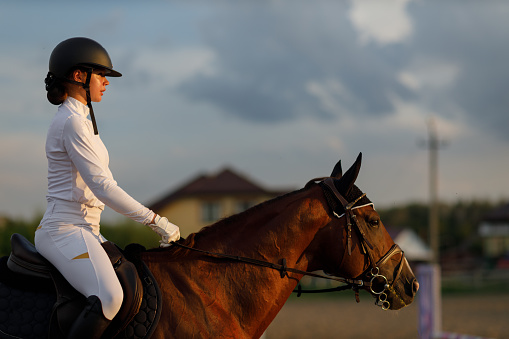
[80,183]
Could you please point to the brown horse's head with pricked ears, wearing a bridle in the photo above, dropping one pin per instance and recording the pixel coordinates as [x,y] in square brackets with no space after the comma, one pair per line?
[367,253]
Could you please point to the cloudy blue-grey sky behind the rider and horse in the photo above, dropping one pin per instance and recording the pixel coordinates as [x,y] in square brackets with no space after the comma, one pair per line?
[277,90]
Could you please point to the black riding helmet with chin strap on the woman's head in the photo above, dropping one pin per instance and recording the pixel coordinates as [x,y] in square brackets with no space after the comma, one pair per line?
[79,53]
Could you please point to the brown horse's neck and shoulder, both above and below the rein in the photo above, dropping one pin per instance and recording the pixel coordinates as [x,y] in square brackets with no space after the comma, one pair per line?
[208,293]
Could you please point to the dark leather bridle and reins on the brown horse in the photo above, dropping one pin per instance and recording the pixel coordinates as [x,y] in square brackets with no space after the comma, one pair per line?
[371,278]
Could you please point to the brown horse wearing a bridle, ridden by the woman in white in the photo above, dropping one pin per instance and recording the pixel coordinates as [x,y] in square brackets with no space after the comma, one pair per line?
[331,227]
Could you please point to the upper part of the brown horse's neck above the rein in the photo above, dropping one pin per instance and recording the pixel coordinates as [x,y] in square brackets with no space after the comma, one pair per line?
[282,228]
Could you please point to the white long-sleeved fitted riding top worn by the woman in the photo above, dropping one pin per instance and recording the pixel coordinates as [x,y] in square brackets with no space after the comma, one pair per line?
[78,165]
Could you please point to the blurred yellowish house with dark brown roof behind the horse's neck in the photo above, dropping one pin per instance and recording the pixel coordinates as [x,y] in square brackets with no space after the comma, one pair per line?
[208,198]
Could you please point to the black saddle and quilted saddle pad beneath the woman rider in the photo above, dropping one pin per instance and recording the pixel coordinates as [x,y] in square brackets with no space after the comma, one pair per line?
[141,296]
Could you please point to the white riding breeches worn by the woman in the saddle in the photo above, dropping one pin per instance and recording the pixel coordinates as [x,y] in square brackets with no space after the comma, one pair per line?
[69,238]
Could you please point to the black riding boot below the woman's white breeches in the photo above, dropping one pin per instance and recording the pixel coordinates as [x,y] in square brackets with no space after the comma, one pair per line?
[91,322]
